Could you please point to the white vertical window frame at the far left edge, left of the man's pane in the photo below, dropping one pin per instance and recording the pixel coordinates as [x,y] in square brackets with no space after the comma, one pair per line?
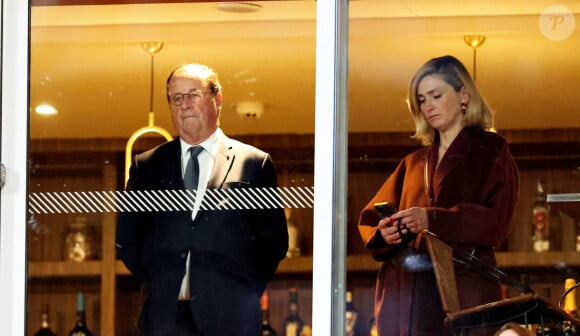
[15,37]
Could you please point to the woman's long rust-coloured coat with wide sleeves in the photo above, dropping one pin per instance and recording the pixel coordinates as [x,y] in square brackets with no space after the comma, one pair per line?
[470,200]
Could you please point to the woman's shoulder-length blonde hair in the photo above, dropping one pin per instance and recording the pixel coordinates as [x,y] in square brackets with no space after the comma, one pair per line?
[454,73]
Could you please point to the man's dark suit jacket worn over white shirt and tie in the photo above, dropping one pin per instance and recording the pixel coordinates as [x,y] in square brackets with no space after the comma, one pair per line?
[232,252]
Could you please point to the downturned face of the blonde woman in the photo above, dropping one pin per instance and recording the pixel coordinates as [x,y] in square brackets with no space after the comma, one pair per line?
[440,103]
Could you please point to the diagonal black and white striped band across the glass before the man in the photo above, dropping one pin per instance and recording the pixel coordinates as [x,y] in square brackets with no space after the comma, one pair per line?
[169,200]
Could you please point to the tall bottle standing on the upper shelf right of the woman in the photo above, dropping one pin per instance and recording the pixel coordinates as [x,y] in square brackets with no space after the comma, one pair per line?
[540,220]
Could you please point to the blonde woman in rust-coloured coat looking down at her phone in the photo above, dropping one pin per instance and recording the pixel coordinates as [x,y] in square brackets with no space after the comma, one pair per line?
[463,186]
